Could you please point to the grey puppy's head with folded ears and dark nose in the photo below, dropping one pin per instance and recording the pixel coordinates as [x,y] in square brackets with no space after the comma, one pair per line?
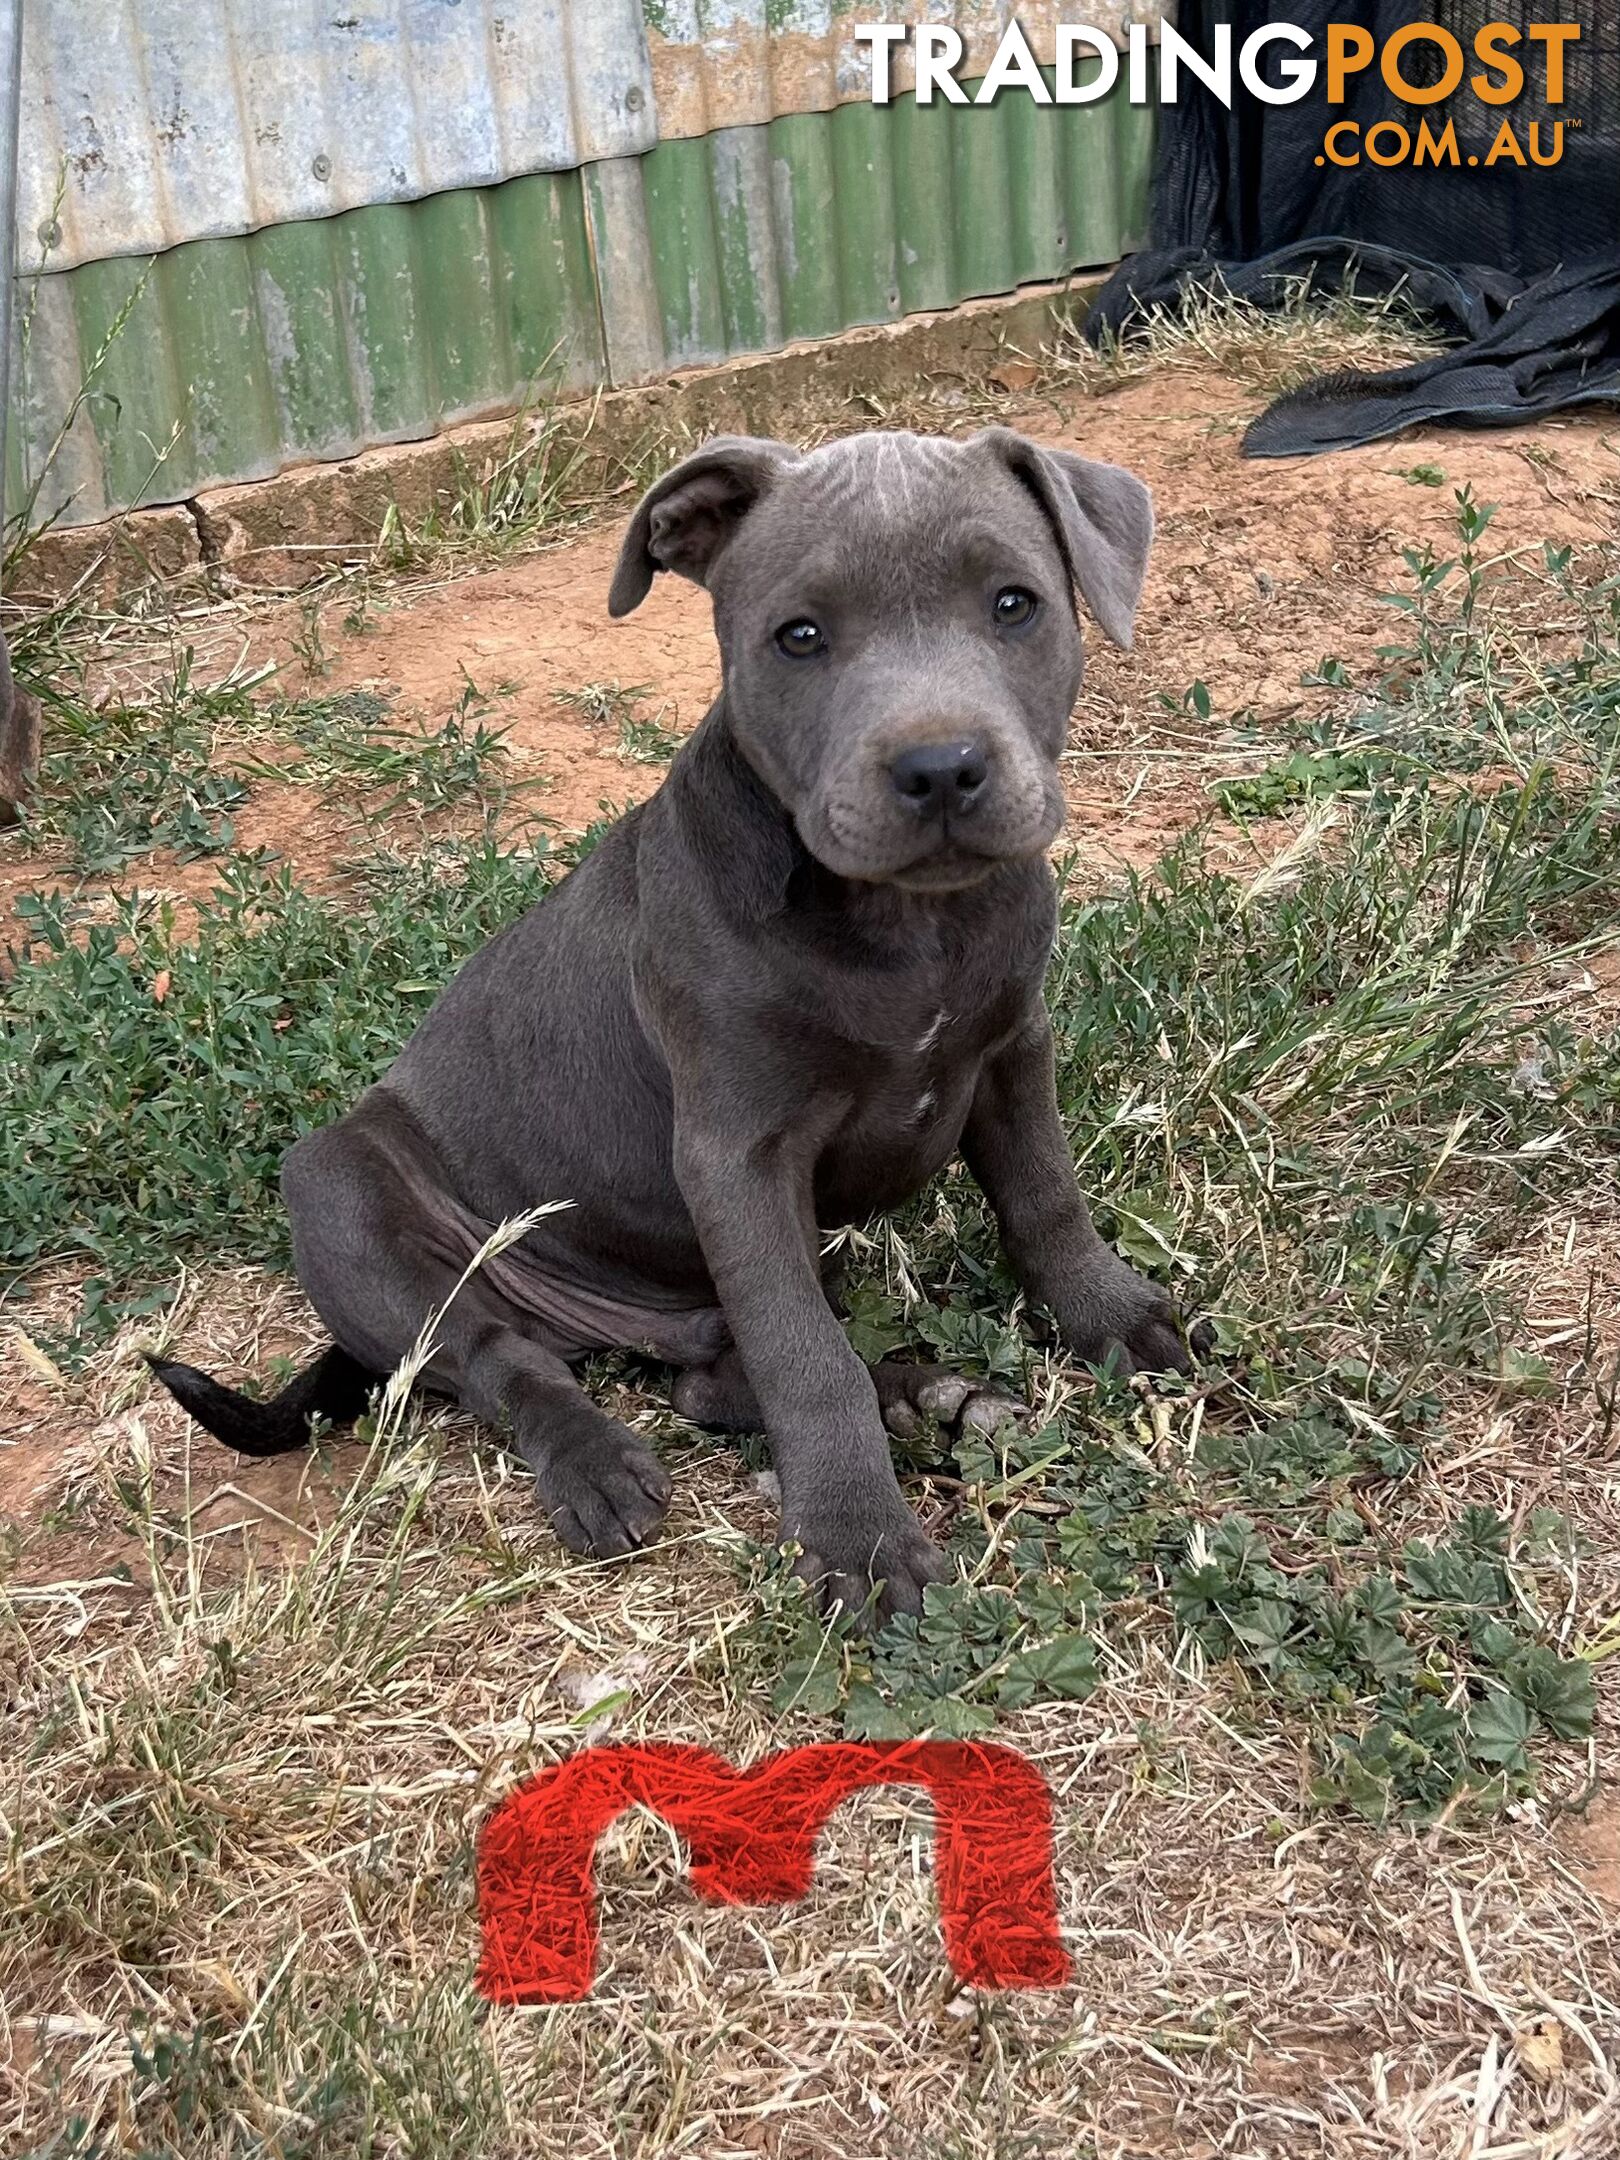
[897,625]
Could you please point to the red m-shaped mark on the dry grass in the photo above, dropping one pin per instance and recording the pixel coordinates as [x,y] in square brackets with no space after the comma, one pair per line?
[753,1841]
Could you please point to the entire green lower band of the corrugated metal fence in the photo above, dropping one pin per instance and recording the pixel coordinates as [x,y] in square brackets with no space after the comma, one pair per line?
[306,342]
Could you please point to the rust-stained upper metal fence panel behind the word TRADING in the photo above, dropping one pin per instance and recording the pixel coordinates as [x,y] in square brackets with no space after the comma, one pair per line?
[740,64]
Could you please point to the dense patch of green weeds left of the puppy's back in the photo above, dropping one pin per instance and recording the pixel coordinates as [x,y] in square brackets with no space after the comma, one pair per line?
[152,1077]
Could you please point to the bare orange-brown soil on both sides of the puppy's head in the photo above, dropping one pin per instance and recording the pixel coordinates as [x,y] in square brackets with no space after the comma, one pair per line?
[1260,571]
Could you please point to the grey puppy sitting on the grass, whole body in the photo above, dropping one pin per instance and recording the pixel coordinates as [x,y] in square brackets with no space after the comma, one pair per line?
[779,997]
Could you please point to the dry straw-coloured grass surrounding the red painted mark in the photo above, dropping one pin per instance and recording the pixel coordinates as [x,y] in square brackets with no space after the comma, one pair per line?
[247,1781]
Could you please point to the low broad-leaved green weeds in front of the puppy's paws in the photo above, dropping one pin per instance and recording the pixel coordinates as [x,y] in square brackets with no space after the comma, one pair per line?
[1420,1669]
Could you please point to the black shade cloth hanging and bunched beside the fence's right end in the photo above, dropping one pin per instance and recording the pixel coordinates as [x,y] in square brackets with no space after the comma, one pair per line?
[1520,262]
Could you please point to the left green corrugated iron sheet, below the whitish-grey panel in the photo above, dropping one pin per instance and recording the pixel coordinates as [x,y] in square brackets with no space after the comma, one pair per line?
[230,360]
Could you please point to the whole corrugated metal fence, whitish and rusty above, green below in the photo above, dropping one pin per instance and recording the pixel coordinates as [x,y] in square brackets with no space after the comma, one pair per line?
[260,232]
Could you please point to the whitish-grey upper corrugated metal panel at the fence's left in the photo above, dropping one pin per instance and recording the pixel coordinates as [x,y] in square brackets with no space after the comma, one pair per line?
[161,122]
